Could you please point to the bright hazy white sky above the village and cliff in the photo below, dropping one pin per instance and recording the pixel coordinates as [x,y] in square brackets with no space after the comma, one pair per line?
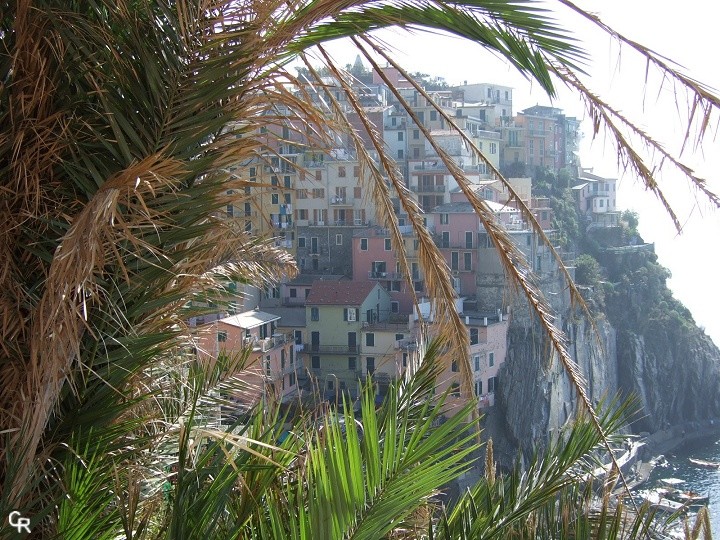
[686,32]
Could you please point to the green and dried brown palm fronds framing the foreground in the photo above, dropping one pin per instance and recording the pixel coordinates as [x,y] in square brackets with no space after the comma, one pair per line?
[122,123]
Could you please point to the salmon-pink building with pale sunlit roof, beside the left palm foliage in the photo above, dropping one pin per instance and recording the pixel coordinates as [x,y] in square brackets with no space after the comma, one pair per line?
[271,369]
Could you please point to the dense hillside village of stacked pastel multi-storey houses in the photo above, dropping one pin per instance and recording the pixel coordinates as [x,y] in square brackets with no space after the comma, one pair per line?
[350,313]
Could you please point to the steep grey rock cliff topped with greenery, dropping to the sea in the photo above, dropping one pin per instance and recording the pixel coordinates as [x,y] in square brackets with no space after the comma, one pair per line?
[648,346]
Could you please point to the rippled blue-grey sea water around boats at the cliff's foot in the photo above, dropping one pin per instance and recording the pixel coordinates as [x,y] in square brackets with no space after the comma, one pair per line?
[701,480]
